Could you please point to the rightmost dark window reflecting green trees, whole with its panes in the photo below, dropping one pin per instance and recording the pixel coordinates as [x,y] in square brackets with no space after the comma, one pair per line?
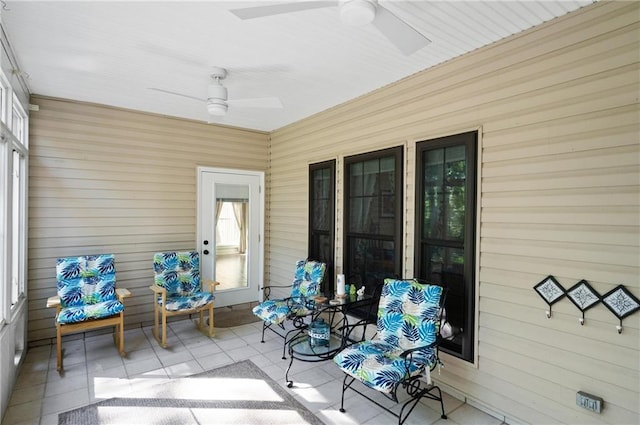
[445,233]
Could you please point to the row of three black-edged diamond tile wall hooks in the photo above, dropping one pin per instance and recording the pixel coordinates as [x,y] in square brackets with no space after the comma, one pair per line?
[619,300]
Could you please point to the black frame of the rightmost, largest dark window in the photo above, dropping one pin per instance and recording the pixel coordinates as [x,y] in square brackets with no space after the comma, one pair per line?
[463,346]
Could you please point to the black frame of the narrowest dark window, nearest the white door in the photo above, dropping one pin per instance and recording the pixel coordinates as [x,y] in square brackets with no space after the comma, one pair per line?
[313,250]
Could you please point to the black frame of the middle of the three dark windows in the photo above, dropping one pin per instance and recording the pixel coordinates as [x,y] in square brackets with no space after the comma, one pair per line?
[388,208]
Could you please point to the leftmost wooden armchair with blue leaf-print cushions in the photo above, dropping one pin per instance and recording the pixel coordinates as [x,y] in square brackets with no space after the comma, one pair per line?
[87,298]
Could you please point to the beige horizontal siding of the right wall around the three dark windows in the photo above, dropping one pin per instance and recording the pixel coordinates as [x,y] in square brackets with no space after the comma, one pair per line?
[558,114]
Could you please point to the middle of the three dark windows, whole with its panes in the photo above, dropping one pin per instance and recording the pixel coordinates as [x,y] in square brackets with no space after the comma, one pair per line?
[373,218]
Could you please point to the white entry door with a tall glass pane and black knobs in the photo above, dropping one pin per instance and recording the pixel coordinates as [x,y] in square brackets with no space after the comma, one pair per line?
[230,232]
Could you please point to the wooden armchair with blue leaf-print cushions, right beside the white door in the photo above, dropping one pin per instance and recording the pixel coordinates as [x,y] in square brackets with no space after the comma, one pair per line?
[177,290]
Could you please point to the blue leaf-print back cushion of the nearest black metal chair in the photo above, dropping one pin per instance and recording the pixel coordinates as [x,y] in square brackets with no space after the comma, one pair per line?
[408,313]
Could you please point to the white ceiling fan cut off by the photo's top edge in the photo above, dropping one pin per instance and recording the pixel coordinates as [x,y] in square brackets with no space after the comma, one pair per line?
[352,12]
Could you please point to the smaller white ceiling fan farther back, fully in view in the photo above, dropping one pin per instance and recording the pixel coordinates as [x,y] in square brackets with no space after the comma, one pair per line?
[217,100]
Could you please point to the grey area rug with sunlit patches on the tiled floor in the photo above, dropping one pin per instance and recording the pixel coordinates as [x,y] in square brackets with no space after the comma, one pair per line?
[240,393]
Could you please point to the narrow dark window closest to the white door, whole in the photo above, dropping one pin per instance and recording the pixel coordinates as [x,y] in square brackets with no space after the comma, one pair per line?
[322,218]
